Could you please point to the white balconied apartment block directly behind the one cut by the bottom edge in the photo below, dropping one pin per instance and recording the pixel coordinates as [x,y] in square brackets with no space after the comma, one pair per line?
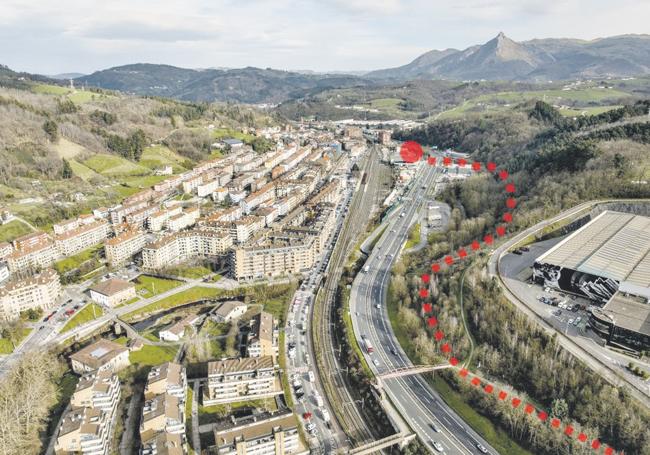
[241,379]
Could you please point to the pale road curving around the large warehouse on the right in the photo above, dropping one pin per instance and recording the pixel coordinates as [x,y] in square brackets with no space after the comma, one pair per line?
[582,349]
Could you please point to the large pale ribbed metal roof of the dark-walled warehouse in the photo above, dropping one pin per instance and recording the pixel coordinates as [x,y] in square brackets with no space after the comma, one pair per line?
[613,245]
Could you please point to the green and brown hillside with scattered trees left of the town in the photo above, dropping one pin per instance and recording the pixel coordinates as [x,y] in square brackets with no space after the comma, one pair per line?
[63,150]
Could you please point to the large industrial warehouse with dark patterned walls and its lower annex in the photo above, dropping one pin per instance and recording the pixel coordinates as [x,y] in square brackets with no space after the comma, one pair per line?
[608,261]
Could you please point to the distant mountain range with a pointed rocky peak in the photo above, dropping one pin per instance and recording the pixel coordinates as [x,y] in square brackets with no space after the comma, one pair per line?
[501,58]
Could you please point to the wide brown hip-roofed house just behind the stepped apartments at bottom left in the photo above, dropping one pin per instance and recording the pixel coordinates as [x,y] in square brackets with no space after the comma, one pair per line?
[101,355]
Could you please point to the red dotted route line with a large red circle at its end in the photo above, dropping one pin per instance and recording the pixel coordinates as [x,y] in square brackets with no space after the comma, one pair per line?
[449,260]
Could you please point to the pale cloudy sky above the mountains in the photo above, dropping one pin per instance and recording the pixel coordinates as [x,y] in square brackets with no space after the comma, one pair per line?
[52,37]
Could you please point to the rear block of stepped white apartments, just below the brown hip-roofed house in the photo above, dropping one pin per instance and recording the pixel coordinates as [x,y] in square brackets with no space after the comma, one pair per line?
[97,390]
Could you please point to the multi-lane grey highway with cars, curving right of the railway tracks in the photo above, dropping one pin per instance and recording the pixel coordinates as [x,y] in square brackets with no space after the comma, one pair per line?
[421,407]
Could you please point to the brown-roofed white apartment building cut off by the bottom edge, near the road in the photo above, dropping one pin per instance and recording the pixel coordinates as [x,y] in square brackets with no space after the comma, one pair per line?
[272,434]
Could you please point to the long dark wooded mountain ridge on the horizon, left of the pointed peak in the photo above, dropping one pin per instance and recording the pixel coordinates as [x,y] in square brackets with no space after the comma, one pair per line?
[246,85]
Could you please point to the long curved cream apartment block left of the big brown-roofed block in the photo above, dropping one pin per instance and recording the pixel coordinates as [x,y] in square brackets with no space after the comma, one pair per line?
[183,246]
